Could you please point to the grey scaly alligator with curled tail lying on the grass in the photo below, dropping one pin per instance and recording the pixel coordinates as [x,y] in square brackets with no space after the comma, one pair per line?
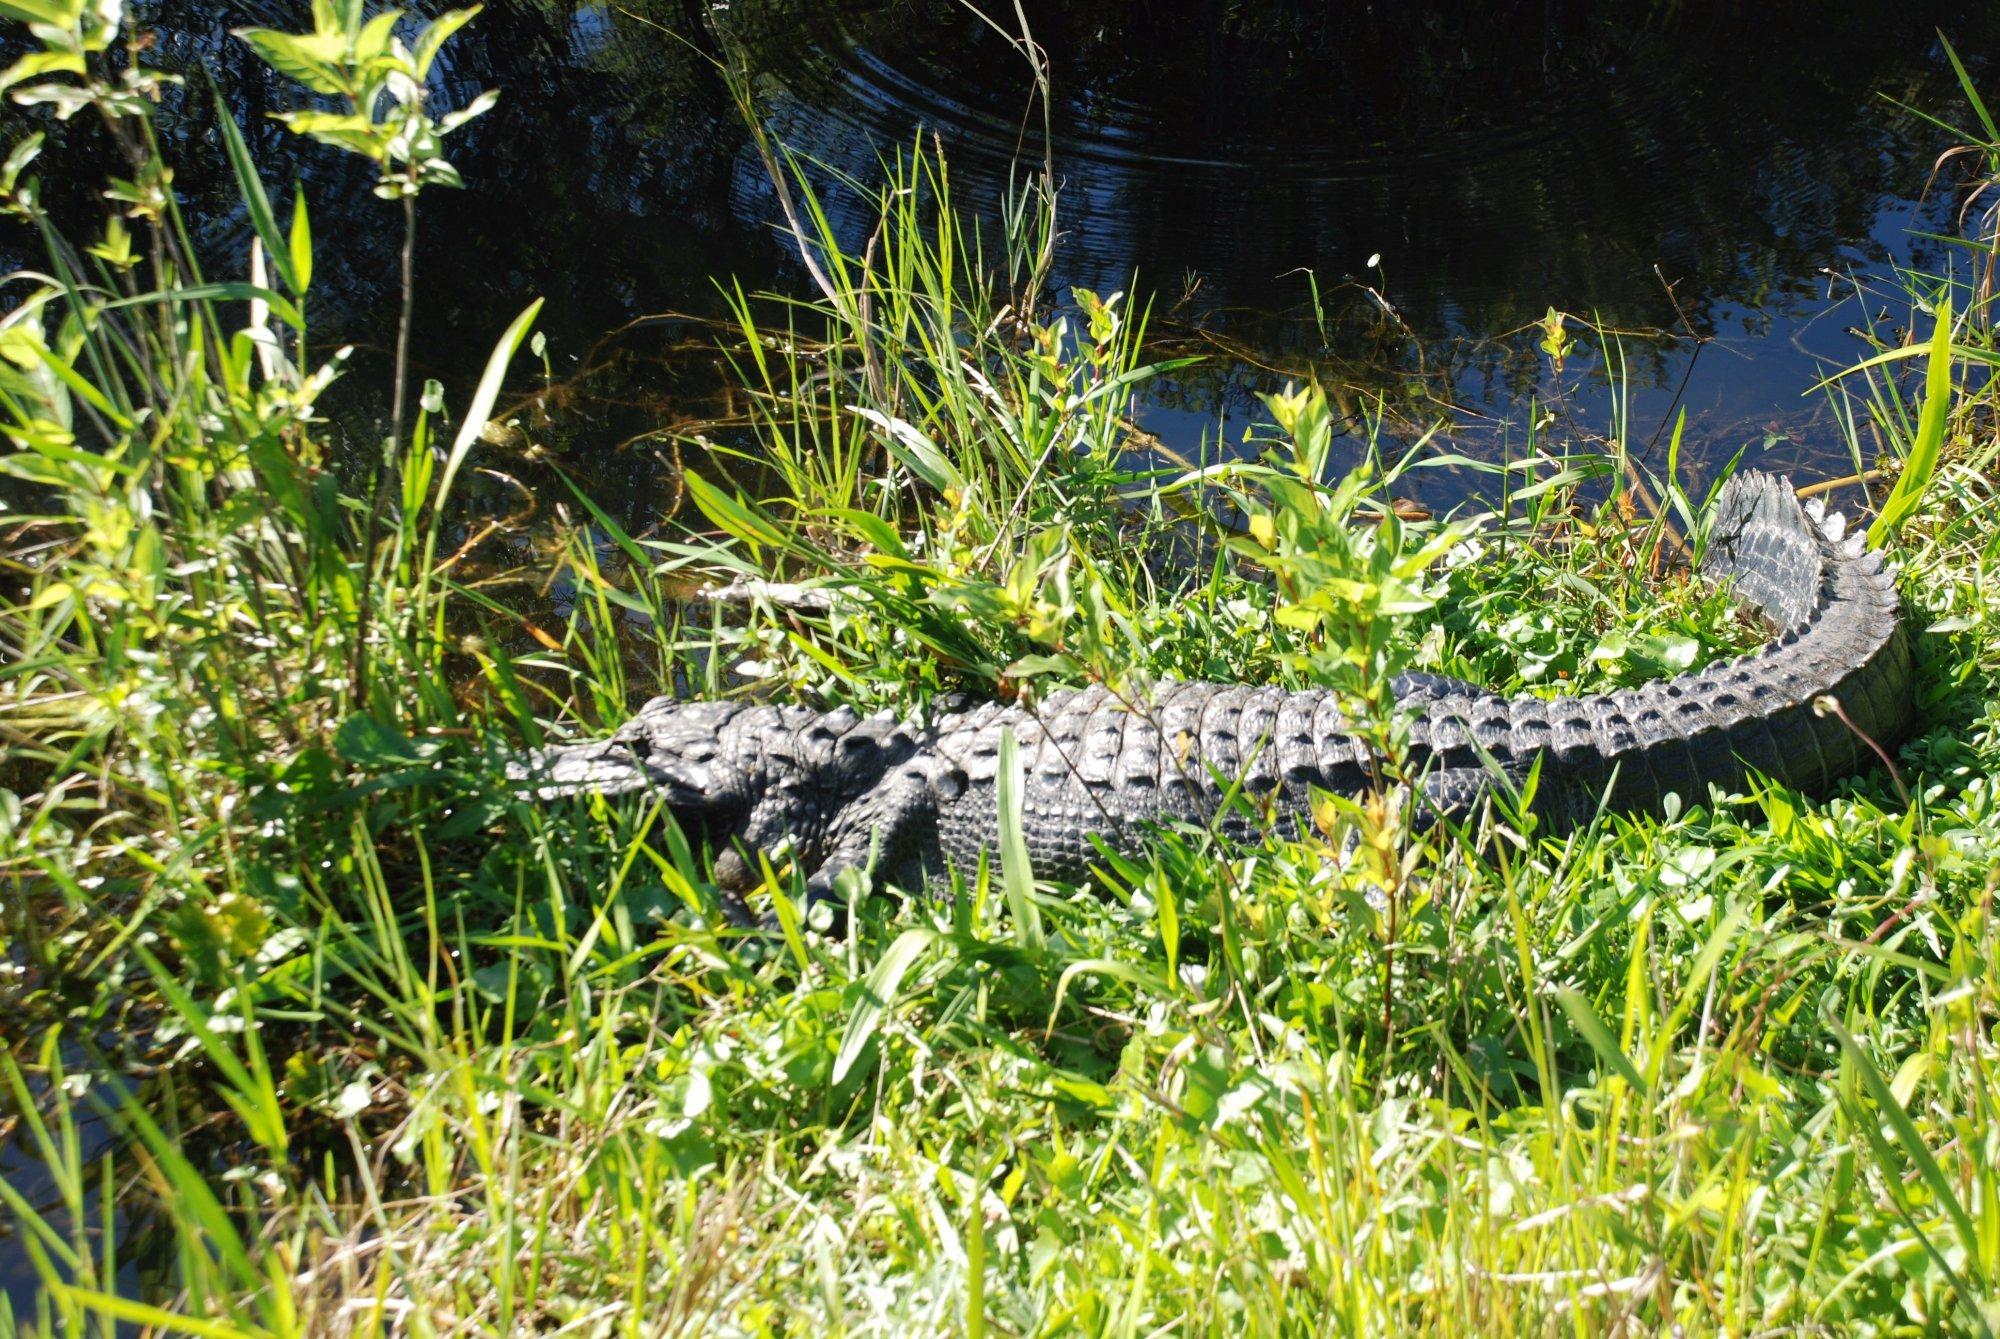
[913,800]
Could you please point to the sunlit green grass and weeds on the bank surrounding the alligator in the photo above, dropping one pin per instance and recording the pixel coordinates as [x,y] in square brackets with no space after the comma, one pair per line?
[385,1050]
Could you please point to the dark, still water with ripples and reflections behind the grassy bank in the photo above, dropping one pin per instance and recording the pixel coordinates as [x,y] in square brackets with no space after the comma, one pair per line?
[1705,179]
